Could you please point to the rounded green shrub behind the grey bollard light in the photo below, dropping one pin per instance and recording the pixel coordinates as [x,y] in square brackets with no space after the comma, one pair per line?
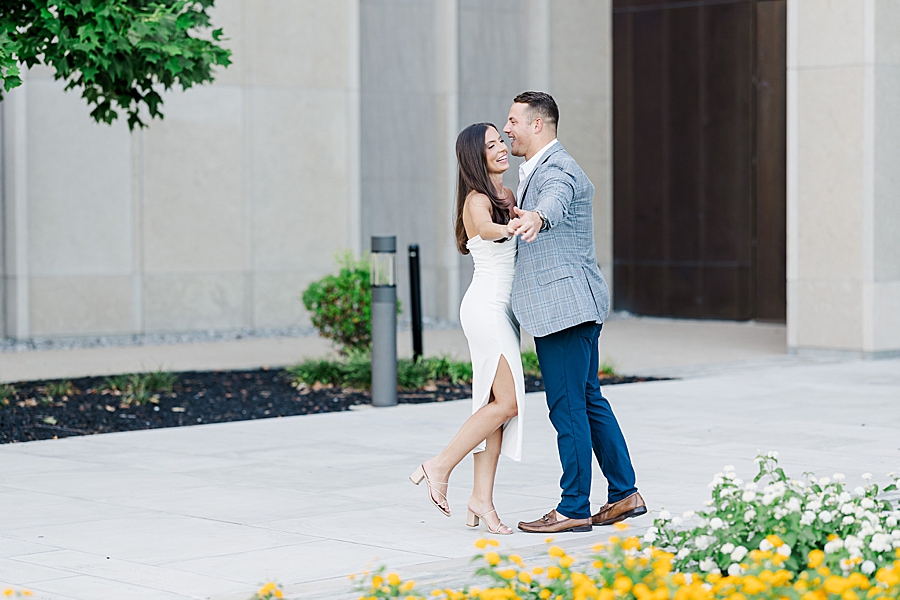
[340,306]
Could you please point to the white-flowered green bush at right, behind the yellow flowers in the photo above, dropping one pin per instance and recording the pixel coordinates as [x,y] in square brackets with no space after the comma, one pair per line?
[775,517]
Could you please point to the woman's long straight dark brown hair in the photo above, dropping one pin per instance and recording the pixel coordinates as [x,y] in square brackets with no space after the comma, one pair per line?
[472,175]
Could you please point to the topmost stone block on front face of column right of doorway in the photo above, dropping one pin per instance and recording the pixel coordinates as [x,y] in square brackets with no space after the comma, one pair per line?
[831,32]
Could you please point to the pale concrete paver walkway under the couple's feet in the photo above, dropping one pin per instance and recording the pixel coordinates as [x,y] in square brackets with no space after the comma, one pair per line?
[214,510]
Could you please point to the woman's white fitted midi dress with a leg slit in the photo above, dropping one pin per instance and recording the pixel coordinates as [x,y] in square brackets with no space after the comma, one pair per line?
[493,331]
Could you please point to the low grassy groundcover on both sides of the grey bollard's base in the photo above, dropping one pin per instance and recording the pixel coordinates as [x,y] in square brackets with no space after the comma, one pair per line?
[355,371]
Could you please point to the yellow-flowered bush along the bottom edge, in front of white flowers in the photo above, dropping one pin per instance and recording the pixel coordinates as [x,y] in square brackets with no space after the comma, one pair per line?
[627,569]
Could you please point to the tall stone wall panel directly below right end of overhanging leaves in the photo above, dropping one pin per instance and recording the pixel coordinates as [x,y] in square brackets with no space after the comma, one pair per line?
[194,197]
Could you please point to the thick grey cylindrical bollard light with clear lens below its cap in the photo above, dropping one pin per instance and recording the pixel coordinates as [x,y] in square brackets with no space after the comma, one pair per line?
[384,320]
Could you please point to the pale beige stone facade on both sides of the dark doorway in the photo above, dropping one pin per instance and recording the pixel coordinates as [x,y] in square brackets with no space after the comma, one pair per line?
[338,120]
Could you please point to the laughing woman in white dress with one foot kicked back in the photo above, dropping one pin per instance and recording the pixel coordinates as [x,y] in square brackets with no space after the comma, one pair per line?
[483,209]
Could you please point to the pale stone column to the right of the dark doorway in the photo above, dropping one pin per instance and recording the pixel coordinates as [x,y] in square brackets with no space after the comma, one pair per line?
[843,186]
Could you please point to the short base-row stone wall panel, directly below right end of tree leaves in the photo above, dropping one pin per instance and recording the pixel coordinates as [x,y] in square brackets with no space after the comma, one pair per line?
[195,302]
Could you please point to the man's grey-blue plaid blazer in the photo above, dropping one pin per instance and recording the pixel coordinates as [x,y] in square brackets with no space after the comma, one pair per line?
[557,283]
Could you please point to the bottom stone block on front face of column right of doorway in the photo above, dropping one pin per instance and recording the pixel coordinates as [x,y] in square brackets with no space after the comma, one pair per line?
[830,314]
